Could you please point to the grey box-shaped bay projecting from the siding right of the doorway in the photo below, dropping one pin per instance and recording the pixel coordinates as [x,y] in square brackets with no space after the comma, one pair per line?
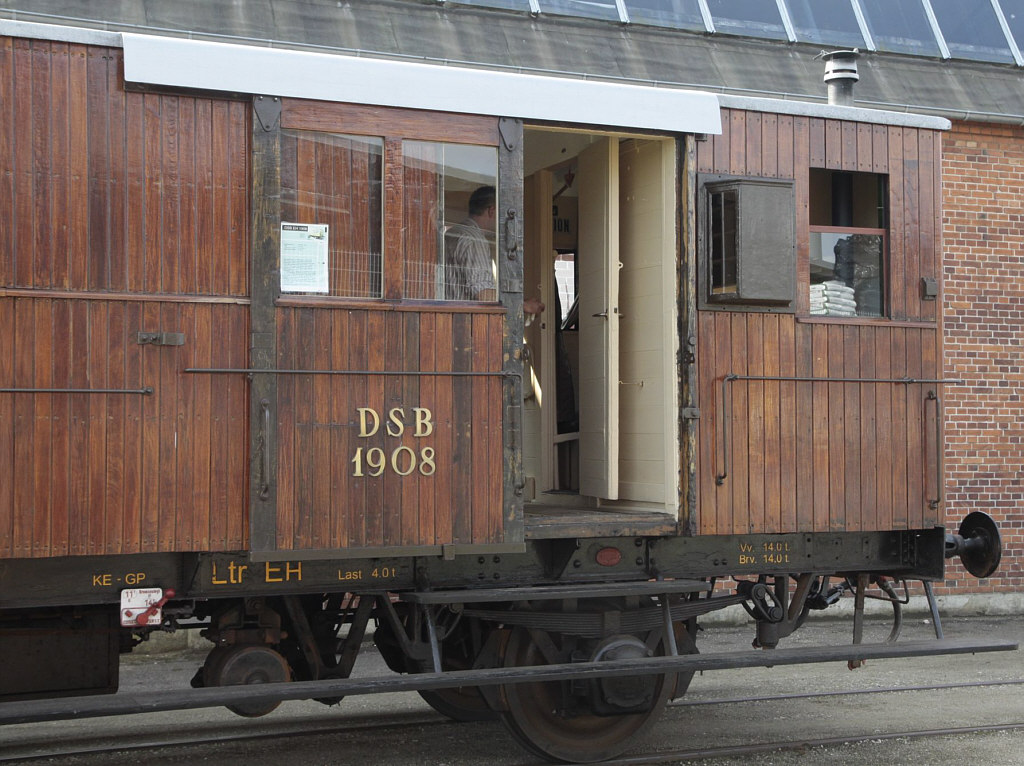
[748,235]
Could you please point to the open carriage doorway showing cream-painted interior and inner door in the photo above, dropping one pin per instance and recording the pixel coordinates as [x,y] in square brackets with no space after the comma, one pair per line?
[601,425]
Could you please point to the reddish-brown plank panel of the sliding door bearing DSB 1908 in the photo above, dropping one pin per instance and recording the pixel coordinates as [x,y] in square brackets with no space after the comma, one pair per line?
[442,487]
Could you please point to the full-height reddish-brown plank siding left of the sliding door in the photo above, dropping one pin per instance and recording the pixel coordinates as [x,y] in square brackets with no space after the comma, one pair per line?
[120,212]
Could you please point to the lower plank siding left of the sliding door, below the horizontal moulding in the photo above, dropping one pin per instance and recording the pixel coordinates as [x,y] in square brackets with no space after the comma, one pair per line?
[98,474]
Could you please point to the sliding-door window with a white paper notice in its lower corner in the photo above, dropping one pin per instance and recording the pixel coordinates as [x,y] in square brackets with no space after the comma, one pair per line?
[332,194]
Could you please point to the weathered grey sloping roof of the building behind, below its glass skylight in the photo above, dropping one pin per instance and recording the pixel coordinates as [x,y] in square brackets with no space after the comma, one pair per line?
[566,46]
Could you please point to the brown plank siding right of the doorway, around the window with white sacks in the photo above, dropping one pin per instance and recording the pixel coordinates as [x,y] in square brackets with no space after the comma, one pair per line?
[825,456]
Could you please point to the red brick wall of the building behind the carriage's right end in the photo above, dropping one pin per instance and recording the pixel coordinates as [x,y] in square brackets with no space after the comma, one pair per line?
[984,230]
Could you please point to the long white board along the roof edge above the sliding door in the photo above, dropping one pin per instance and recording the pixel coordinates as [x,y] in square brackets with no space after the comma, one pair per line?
[244,69]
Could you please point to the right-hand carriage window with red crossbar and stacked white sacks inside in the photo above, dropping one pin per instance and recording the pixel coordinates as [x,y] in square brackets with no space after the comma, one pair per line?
[848,244]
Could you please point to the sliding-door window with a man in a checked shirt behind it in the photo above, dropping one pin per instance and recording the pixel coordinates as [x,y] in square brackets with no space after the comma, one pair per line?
[451,211]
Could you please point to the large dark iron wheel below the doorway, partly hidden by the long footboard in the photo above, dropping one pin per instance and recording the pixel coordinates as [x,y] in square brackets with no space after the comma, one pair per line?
[546,721]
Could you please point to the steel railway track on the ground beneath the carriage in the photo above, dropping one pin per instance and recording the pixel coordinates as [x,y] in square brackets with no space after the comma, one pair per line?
[396,725]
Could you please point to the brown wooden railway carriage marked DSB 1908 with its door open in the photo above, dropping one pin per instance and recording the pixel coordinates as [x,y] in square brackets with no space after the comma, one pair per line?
[235,393]
